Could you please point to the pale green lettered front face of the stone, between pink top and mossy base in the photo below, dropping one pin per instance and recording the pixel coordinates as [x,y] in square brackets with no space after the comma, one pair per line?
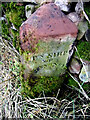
[49,59]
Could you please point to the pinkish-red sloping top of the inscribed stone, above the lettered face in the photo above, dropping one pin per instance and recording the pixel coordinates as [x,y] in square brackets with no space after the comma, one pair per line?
[47,22]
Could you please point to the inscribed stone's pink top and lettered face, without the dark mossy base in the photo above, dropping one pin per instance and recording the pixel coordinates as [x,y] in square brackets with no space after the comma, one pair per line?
[47,34]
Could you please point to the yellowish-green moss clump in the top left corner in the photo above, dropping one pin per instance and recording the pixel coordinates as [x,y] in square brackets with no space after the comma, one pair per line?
[14,13]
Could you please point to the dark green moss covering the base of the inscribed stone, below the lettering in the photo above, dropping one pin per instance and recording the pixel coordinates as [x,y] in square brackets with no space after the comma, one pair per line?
[33,87]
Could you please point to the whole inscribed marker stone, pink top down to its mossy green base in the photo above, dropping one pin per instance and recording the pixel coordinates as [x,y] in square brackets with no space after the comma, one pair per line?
[45,37]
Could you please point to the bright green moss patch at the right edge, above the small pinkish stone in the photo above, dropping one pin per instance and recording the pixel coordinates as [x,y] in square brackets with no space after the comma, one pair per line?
[83,48]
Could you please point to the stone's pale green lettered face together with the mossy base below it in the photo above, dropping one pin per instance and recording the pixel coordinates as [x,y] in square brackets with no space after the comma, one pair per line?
[44,69]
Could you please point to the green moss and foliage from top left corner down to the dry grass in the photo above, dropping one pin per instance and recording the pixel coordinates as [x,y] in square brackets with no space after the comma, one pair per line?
[14,15]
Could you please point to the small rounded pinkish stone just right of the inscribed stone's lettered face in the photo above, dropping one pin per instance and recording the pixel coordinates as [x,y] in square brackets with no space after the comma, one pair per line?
[75,66]
